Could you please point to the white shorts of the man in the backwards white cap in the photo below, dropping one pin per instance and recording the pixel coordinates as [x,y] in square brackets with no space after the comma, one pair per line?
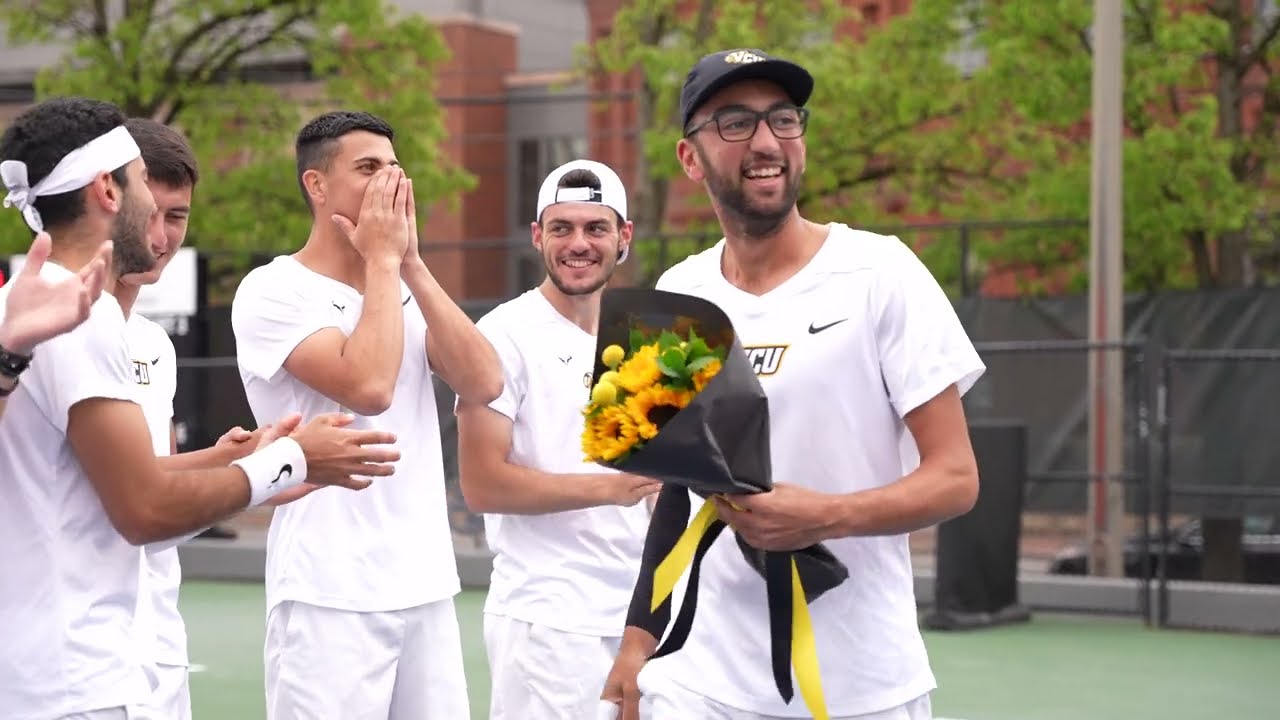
[541,673]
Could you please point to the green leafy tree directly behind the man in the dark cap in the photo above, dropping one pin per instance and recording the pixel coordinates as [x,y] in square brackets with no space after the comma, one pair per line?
[872,99]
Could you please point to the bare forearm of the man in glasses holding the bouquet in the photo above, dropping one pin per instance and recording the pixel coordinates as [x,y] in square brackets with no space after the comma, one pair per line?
[926,498]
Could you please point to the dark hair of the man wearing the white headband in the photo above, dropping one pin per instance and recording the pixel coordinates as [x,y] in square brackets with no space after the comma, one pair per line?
[48,133]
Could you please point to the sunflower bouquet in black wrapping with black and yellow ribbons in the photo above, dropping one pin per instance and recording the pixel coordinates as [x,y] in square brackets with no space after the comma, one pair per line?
[674,398]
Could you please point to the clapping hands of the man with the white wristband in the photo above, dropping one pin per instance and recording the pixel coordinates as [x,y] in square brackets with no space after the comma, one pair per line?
[341,457]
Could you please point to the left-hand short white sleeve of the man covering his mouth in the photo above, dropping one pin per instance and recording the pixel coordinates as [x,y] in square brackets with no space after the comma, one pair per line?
[271,318]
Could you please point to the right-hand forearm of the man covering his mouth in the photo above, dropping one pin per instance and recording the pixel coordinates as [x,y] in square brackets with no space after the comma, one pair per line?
[458,352]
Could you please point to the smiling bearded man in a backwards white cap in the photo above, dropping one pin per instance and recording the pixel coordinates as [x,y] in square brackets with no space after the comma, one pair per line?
[566,535]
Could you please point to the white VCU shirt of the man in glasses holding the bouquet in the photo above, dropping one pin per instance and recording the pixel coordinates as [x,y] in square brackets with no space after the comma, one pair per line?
[844,349]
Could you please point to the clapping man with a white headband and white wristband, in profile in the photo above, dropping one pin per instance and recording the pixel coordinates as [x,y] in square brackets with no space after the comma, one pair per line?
[81,482]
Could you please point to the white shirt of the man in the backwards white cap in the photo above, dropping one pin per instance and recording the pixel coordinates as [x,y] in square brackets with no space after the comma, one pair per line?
[574,571]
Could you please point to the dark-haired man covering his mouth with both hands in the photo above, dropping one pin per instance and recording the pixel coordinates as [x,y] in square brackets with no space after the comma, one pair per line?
[360,619]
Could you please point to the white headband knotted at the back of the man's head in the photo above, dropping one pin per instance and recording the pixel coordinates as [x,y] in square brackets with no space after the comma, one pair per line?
[104,154]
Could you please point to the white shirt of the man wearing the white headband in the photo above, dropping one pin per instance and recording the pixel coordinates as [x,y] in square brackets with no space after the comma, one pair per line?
[71,581]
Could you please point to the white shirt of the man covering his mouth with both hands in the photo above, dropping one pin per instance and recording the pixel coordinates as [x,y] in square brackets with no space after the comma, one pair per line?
[390,546]
